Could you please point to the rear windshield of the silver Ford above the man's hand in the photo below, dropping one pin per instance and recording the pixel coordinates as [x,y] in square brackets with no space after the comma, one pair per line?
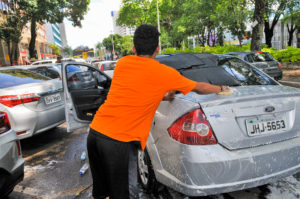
[230,72]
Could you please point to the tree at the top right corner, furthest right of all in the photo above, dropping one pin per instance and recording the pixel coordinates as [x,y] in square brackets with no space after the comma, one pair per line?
[292,19]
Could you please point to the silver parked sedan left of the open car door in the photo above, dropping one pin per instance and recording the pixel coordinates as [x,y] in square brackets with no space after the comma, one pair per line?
[33,103]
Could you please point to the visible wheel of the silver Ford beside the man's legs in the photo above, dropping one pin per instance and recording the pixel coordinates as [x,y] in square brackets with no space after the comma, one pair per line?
[145,172]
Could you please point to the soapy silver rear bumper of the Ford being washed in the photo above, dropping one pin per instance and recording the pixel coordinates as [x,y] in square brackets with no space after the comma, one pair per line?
[214,170]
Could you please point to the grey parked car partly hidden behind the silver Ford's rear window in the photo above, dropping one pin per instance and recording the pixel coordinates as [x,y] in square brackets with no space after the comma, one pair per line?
[263,61]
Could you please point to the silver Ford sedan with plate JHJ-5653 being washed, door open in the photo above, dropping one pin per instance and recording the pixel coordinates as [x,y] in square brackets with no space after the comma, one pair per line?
[208,144]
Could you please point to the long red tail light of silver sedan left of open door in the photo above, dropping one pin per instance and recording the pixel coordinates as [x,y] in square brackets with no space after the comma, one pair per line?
[14,100]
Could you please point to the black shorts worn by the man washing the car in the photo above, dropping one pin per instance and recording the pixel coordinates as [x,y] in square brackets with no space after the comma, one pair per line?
[110,162]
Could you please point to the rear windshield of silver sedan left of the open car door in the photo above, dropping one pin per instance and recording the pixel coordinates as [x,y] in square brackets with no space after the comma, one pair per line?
[16,77]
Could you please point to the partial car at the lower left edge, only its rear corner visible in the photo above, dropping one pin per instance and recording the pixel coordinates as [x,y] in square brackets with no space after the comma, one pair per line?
[11,161]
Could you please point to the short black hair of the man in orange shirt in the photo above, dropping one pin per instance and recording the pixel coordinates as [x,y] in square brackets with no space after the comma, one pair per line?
[146,39]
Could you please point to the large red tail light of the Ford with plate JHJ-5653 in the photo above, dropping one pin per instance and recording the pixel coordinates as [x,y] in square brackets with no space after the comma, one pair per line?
[193,129]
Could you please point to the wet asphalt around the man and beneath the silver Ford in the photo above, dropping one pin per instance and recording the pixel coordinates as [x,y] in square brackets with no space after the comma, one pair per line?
[52,164]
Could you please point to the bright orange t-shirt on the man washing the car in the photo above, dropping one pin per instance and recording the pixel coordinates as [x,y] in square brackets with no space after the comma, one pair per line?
[138,86]
